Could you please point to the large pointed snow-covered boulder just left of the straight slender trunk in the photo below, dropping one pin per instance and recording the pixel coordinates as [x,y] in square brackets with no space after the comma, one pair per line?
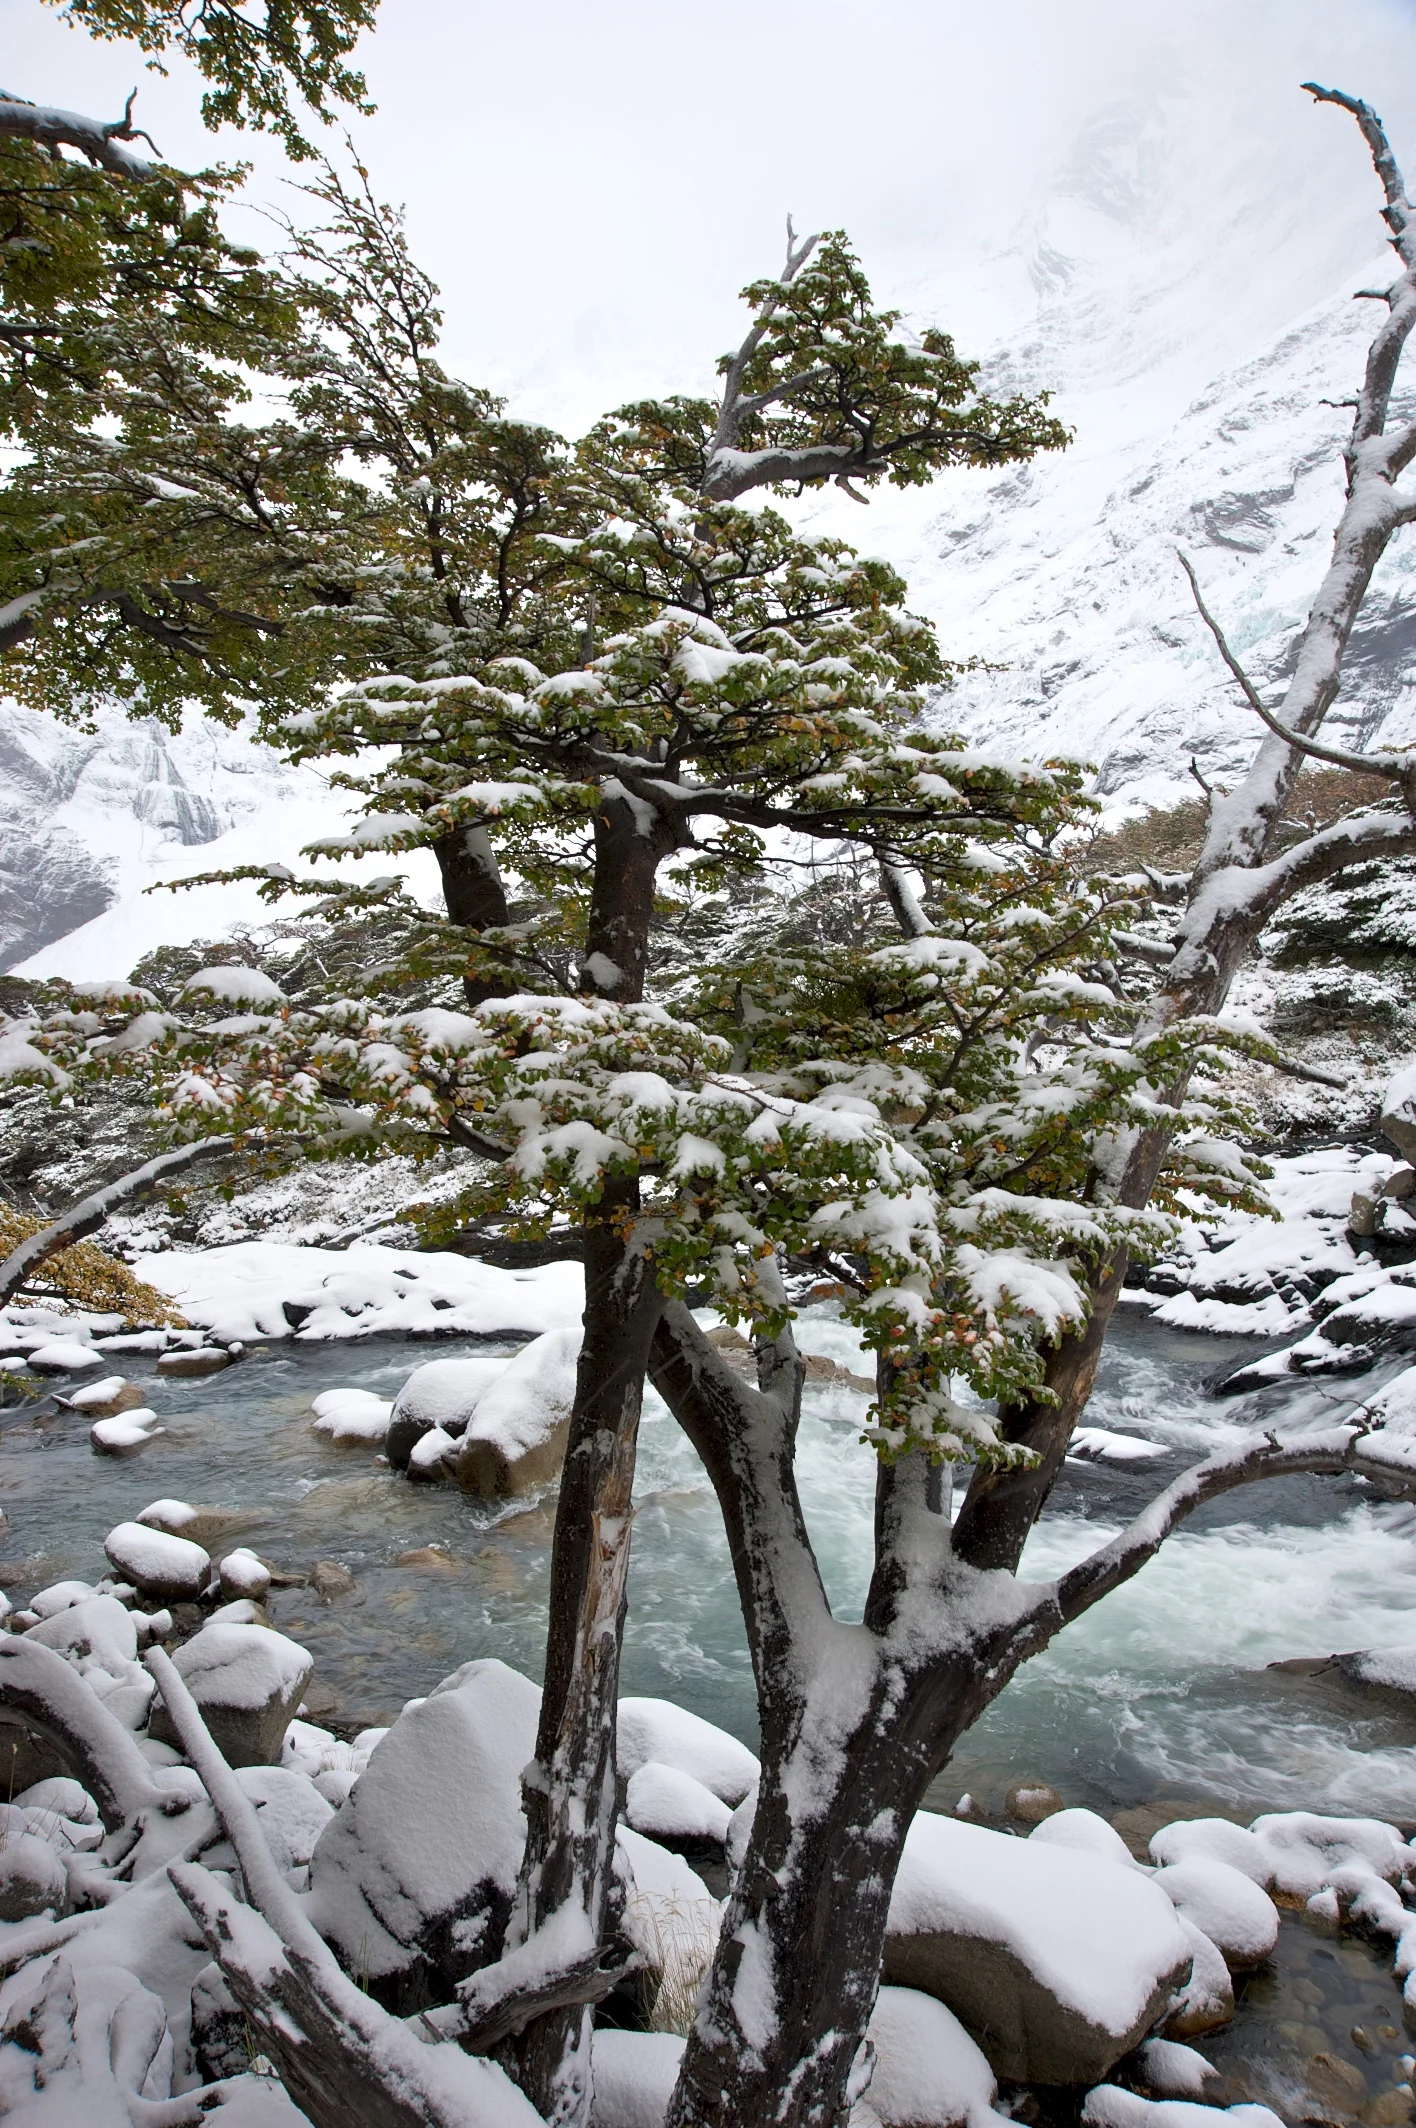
[418,1869]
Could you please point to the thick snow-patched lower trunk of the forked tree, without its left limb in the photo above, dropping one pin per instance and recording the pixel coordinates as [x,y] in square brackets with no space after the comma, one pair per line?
[795,1982]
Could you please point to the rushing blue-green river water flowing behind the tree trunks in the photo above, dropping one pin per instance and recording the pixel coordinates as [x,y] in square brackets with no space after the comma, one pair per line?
[1162,1695]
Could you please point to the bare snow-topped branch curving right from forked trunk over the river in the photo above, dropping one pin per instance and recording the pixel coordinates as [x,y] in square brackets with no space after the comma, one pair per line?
[1340,1450]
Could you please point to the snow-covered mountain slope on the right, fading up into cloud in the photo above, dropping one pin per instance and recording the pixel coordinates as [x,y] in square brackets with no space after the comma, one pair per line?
[1191,327]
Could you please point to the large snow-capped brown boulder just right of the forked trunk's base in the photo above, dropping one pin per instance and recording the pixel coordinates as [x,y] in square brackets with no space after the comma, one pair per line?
[1055,1959]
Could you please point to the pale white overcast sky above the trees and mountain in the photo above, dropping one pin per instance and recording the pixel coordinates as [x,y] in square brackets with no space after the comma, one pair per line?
[593,184]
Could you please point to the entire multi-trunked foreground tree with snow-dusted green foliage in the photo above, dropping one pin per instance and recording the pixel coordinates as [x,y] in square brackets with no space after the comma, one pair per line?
[633,695]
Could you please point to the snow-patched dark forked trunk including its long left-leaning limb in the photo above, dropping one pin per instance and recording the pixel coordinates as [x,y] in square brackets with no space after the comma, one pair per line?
[857,1720]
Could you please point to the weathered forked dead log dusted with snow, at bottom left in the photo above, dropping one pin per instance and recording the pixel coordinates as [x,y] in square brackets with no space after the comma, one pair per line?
[342,2059]
